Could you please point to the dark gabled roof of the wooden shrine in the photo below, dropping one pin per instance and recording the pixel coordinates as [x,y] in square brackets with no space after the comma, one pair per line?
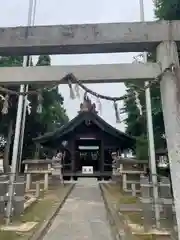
[82,116]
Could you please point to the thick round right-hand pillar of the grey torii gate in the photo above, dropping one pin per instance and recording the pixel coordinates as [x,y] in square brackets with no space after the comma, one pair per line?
[170,95]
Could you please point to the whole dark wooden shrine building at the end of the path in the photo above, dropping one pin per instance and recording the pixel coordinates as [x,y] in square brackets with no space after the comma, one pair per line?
[87,141]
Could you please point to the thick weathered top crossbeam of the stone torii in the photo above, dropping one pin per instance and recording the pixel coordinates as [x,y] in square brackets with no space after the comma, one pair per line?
[87,38]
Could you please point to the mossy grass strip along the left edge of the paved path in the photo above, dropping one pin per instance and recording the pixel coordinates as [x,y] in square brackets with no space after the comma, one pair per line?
[38,212]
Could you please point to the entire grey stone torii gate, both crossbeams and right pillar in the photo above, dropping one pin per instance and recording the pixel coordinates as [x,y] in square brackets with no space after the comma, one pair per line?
[161,36]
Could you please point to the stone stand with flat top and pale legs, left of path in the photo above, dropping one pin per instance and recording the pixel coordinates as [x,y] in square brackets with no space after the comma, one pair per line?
[37,167]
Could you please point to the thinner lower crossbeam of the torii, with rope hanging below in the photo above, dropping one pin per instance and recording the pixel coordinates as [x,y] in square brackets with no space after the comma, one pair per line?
[103,73]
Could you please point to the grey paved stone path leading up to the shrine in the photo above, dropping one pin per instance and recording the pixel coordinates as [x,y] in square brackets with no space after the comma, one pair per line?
[83,216]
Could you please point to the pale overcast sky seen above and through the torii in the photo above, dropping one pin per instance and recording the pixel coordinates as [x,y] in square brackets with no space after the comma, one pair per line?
[14,13]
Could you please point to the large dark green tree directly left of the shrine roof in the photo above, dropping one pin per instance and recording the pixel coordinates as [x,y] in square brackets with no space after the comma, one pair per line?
[53,113]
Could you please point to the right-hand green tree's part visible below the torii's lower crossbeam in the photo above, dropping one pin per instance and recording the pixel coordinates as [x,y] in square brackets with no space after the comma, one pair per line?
[137,124]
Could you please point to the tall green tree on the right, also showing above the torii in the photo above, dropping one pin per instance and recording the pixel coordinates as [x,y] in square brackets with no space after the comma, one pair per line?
[164,10]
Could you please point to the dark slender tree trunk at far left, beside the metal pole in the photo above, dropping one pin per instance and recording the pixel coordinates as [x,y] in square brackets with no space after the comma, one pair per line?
[7,147]
